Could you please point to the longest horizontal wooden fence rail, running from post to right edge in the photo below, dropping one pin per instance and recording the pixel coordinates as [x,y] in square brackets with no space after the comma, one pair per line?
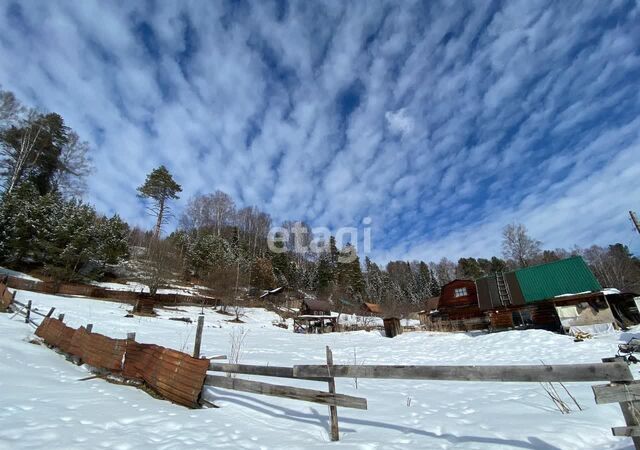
[525,373]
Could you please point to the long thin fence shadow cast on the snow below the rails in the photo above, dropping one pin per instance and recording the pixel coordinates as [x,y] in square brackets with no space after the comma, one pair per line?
[321,420]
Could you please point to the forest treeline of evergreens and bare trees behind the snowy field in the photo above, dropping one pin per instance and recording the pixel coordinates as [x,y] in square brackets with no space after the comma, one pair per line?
[45,227]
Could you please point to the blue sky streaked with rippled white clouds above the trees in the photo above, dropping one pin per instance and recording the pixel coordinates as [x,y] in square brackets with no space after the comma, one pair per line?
[440,121]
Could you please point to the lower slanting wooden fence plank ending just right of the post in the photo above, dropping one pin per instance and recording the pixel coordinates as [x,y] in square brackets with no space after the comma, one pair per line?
[308,395]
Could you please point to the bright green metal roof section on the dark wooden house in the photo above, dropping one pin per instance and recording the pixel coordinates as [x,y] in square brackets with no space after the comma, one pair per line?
[567,276]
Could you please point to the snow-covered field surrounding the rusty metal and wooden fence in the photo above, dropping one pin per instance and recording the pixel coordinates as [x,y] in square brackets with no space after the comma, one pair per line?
[43,403]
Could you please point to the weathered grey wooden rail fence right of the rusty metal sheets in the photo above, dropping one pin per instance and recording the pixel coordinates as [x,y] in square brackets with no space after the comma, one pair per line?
[621,389]
